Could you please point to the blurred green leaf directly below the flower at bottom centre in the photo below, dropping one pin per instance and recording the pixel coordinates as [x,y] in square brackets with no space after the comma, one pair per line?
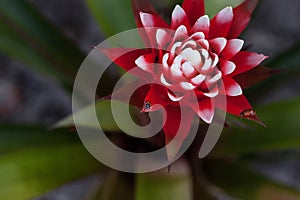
[160,185]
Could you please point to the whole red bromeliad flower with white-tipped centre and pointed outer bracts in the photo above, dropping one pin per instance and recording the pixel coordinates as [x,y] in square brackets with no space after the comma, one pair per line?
[196,56]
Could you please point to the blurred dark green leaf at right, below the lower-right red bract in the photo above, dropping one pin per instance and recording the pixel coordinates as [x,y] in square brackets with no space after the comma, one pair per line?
[282,132]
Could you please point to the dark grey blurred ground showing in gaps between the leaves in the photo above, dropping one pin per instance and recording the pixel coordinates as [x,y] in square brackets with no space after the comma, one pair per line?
[29,97]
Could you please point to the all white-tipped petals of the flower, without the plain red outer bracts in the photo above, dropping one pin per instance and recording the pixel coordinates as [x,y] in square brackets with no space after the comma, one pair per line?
[194,61]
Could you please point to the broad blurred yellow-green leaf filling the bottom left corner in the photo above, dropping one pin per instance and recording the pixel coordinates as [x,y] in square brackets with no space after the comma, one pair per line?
[34,161]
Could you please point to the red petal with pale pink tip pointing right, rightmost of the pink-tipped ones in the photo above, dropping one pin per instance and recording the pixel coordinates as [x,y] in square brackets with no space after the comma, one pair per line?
[246,61]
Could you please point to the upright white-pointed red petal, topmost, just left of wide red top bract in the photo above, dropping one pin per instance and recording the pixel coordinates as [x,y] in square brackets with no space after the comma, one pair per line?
[179,18]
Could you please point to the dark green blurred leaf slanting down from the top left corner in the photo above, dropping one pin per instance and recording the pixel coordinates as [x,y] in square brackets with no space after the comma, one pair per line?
[27,36]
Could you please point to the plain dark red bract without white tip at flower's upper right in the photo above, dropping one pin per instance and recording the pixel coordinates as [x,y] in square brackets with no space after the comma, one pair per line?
[241,17]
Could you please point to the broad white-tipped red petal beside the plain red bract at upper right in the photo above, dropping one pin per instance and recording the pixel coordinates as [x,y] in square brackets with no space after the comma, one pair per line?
[221,23]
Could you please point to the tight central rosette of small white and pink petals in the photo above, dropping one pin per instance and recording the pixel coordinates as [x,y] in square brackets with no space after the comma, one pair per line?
[189,65]
